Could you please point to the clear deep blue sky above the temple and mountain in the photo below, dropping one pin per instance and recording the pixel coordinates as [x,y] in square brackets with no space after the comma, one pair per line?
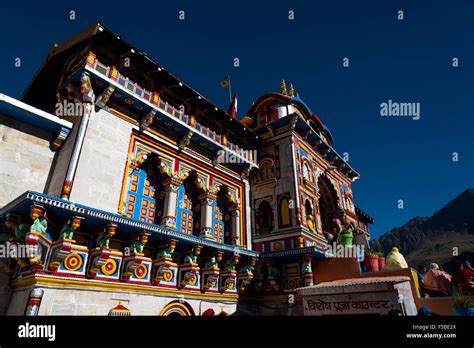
[389,59]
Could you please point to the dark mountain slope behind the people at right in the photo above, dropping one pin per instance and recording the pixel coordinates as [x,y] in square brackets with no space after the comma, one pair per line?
[448,232]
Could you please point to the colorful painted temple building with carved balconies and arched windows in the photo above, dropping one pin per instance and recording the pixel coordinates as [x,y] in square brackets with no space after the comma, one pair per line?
[144,198]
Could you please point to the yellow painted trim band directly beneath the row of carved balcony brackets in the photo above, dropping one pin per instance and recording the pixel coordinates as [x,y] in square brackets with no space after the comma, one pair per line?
[90,284]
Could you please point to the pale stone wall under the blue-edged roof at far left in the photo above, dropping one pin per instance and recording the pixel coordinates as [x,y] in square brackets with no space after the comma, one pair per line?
[25,158]
